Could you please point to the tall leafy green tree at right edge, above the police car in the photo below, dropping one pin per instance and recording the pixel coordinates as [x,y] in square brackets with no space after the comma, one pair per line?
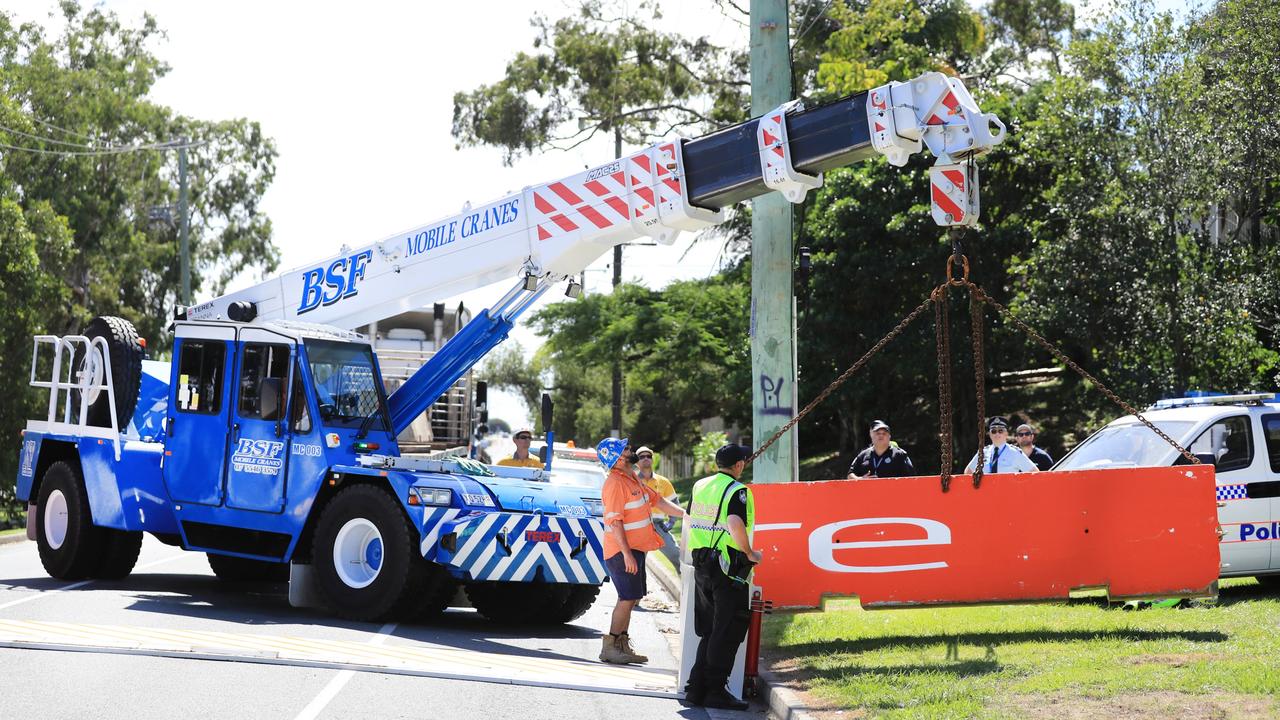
[1130,266]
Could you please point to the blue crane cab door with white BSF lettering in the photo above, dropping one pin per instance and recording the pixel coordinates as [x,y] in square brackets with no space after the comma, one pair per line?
[258,452]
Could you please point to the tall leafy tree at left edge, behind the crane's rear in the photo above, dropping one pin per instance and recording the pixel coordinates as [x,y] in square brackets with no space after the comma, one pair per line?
[84,163]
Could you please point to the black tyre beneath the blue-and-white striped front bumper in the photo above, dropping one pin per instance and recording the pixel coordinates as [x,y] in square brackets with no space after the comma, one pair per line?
[532,604]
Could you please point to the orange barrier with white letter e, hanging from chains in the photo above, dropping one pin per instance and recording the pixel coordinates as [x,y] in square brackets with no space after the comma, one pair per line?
[1142,532]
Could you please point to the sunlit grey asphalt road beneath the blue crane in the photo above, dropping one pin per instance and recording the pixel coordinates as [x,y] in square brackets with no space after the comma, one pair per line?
[172,591]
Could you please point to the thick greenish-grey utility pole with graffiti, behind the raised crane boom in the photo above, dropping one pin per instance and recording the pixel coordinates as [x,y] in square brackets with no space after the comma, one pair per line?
[774,357]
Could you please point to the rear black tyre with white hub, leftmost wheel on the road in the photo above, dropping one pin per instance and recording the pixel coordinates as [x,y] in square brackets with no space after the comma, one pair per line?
[71,546]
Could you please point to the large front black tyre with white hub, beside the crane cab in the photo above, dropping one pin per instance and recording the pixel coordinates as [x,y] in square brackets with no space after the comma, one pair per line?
[367,558]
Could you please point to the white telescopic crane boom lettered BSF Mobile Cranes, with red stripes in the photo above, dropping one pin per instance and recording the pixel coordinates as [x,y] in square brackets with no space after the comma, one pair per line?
[559,229]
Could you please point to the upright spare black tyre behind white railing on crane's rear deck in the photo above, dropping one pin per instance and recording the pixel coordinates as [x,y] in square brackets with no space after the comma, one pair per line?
[127,353]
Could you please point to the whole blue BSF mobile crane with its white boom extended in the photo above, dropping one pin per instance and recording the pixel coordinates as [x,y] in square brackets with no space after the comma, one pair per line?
[269,441]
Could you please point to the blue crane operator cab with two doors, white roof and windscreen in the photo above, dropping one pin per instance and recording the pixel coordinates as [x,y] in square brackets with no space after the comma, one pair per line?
[291,399]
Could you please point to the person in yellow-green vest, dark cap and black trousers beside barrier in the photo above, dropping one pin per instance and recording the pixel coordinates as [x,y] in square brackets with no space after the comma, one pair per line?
[721,517]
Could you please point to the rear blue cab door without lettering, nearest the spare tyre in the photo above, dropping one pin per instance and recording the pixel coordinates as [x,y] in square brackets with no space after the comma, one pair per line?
[199,413]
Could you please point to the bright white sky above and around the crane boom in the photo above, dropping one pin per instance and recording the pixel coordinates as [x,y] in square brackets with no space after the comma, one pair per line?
[360,107]
